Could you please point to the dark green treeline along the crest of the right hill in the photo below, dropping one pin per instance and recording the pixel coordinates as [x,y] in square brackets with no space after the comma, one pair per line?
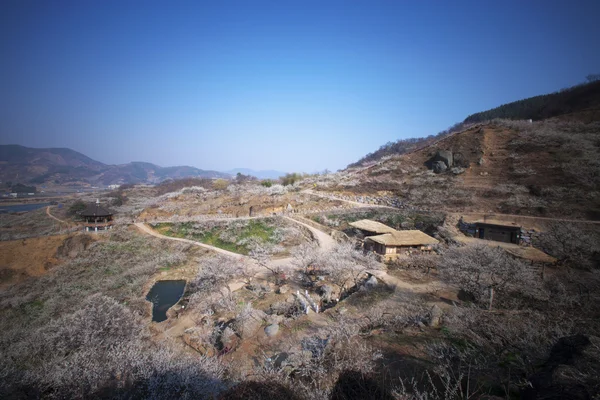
[577,98]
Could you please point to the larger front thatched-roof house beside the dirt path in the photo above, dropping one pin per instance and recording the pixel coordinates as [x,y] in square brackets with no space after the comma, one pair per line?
[393,244]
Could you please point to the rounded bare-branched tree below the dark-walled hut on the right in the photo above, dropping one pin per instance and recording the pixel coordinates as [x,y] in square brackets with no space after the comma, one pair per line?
[482,269]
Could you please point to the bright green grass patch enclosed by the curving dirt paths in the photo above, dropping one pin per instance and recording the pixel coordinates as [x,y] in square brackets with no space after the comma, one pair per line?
[261,230]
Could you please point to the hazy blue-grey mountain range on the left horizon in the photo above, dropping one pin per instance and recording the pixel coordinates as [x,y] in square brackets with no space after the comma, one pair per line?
[61,166]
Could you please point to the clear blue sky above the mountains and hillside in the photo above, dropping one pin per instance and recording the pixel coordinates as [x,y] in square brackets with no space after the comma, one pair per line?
[293,85]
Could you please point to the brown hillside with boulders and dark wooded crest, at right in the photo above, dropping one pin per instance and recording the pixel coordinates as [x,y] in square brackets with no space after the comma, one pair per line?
[546,167]
